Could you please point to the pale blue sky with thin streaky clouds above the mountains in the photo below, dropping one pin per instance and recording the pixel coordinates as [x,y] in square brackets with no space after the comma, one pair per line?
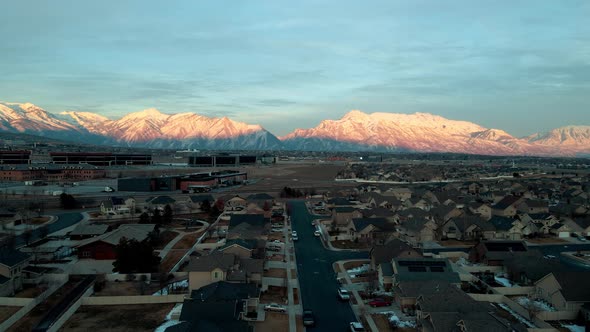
[521,66]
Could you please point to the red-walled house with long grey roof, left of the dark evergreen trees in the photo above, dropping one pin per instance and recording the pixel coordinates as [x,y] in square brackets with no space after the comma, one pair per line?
[103,247]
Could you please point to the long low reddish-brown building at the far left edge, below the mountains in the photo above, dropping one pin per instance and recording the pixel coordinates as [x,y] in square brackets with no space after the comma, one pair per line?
[50,172]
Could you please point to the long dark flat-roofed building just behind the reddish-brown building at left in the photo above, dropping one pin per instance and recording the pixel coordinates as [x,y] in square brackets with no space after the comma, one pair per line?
[100,158]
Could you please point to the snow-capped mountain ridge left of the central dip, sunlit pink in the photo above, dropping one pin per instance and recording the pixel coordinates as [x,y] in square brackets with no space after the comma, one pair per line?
[148,128]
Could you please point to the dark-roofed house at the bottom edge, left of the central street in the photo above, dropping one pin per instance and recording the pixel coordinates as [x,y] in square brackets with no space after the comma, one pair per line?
[220,306]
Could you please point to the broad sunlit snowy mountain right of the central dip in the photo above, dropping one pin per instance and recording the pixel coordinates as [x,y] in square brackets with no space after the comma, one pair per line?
[427,133]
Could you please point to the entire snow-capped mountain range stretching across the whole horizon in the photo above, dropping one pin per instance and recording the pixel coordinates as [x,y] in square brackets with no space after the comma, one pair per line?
[355,131]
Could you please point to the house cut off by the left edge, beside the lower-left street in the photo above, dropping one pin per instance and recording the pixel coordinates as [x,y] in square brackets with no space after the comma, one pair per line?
[12,263]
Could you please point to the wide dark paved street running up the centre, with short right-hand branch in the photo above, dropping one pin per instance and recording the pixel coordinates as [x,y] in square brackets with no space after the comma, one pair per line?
[318,285]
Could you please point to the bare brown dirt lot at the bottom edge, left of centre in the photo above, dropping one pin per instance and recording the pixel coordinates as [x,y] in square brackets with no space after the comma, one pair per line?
[118,318]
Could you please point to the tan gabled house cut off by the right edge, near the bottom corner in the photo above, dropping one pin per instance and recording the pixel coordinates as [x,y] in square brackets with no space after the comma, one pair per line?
[565,290]
